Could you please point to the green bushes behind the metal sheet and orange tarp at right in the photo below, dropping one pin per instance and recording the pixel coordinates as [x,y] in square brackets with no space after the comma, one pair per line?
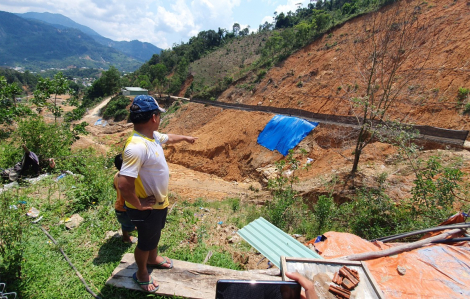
[371,213]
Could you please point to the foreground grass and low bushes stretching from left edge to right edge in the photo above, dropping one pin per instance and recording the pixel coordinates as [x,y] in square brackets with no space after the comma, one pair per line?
[192,228]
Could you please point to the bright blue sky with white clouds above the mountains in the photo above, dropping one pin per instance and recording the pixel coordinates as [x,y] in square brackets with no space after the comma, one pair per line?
[162,23]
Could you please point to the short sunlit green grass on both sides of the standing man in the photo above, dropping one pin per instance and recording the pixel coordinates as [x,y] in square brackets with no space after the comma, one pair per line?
[46,273]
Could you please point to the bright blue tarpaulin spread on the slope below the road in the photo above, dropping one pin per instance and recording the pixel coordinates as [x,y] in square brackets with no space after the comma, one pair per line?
[284,133]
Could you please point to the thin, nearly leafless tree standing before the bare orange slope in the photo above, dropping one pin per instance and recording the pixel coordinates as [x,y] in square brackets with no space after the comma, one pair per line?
[388,56]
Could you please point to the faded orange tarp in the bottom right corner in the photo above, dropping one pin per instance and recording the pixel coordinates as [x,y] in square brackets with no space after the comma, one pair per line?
[435,271]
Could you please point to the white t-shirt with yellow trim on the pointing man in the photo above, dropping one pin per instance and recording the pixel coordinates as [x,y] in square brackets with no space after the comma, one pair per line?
[143,159]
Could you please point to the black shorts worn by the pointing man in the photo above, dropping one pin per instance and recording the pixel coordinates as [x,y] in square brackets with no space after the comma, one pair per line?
[149,225]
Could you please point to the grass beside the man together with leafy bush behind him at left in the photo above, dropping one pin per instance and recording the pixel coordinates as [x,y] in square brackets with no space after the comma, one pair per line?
[89,191]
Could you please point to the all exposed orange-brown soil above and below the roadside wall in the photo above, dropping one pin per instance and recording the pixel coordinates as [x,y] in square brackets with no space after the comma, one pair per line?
[227,149]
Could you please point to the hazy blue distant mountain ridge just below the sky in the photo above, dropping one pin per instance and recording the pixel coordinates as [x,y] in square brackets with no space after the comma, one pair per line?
[141,51]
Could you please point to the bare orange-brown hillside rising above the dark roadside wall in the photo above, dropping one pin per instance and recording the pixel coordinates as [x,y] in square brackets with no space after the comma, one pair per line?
[326,70]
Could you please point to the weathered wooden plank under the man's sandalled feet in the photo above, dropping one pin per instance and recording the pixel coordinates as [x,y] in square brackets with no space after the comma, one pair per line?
[188,280]
